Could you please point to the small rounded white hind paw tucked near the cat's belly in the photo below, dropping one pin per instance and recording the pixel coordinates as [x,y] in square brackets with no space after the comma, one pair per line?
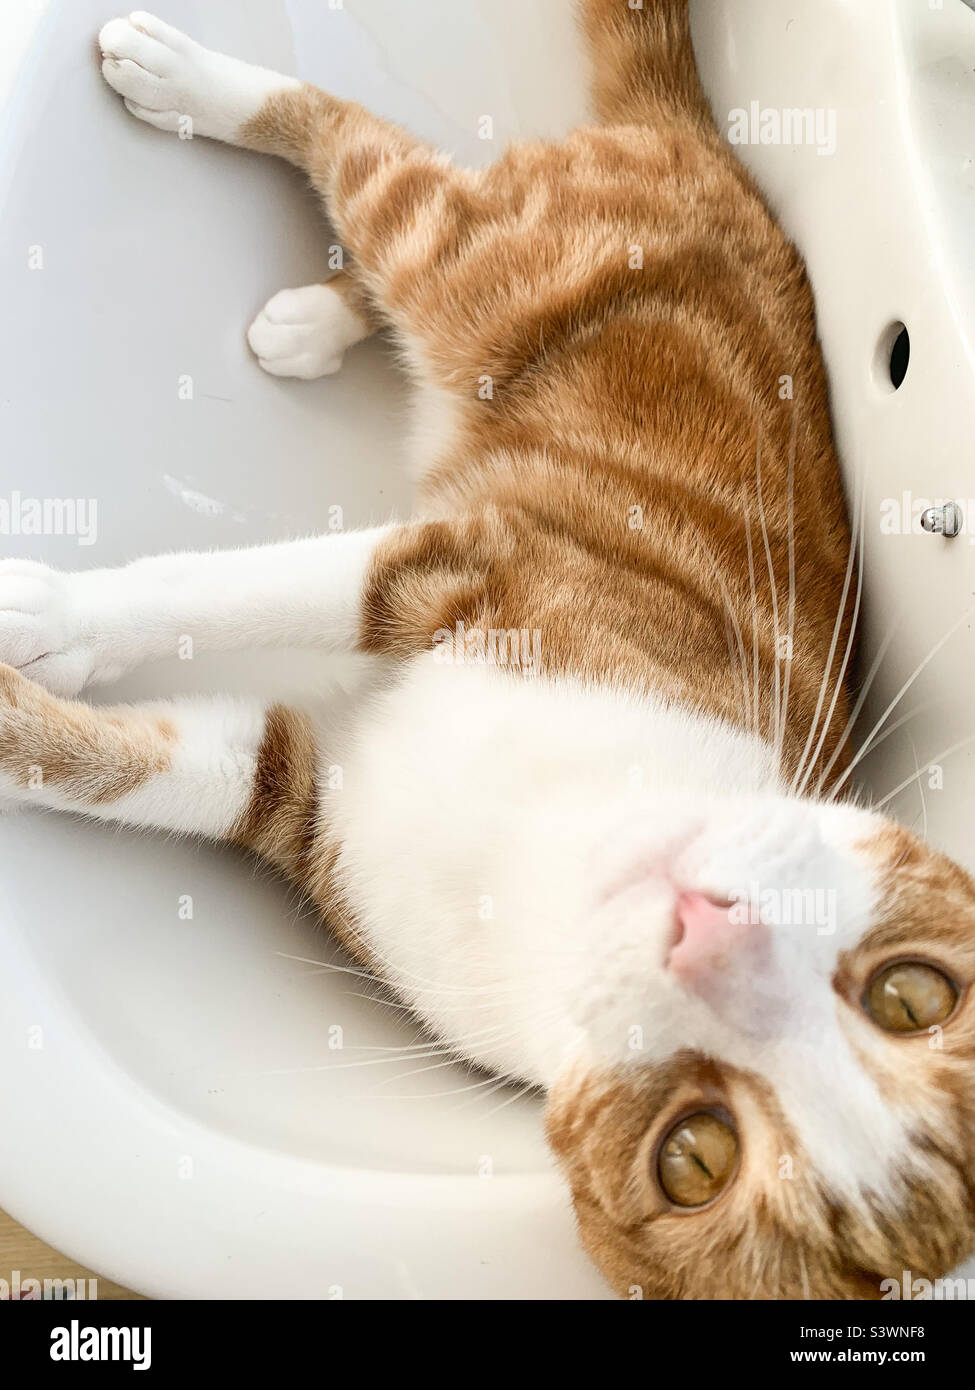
[304,333]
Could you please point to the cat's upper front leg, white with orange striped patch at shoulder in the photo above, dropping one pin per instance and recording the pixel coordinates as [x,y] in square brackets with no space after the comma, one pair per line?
[386,591]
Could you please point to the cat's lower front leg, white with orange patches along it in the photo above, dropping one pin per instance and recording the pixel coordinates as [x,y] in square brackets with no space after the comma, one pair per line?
[227,769]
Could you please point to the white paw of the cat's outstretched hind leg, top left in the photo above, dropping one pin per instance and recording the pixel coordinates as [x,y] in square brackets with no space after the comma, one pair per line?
[176,84]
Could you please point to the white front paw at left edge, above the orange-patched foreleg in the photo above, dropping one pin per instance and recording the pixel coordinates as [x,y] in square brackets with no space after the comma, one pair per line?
[40,633]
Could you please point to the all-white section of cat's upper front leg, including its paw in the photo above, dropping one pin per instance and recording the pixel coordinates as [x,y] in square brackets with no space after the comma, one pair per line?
[69,632]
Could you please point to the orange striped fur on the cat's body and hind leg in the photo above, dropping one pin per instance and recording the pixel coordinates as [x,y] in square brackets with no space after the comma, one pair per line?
[656,436]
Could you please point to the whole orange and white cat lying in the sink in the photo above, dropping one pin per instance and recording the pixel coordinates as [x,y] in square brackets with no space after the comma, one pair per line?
[609,683]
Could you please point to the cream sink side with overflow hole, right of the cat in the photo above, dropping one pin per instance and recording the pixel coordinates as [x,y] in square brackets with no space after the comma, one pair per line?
[887,226]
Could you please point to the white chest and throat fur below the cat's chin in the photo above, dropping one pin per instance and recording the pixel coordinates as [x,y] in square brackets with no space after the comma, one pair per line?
[481,810]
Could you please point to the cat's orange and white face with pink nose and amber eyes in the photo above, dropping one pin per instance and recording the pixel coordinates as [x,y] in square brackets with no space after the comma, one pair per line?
[777,1102]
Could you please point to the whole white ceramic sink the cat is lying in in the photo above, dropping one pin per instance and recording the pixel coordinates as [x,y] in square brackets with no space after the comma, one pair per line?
[177,1114]
